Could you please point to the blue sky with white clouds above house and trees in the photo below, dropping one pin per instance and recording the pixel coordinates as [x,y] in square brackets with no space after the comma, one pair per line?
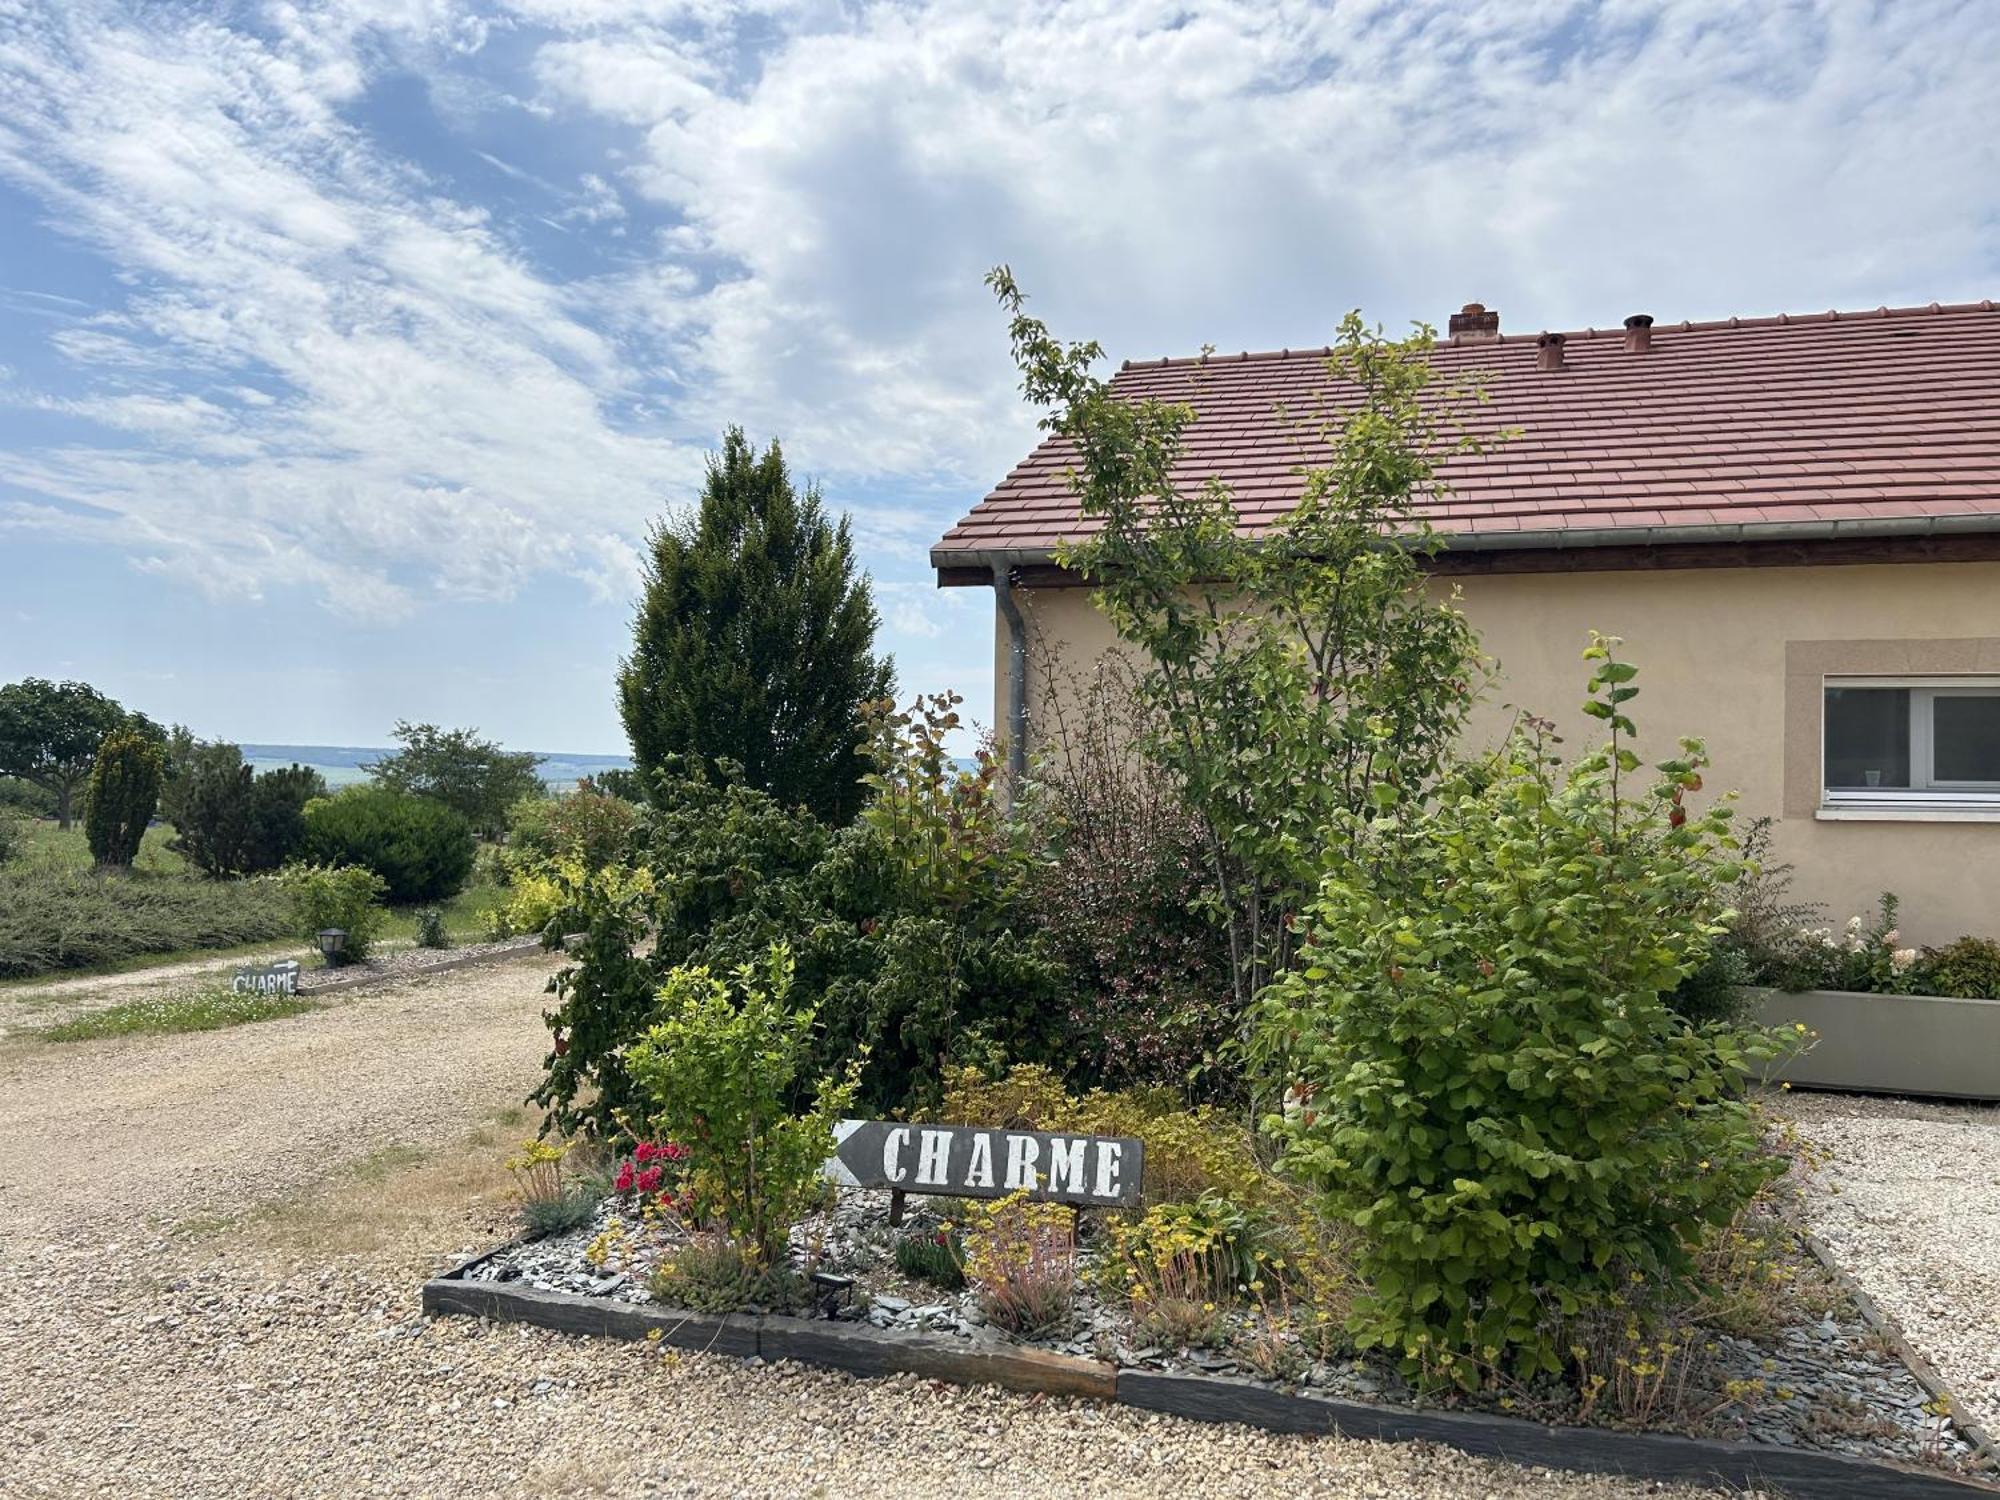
[349,349]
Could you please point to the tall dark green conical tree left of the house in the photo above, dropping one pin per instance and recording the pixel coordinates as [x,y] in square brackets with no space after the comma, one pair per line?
[755,641]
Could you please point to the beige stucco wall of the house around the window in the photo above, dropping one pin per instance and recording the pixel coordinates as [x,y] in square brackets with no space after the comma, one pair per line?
[1731,655]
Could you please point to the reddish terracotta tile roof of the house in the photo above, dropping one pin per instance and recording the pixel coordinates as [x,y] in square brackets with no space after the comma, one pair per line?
[1837,423]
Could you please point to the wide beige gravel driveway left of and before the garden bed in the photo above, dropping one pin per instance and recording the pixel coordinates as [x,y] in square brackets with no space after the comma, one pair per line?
[275,1347]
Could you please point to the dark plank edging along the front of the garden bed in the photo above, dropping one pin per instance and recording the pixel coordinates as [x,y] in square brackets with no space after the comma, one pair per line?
[861,1349]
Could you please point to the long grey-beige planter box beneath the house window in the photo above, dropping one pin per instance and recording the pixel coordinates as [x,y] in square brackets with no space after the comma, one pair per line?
[1891,1043]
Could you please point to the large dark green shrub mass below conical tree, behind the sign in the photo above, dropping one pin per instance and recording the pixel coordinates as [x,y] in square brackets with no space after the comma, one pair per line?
[907,929]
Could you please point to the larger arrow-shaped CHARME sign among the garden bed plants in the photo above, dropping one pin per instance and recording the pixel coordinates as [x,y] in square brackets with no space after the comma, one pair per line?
[979,1163]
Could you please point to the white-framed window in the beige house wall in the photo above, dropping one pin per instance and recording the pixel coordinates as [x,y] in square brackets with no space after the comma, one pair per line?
[1913,743]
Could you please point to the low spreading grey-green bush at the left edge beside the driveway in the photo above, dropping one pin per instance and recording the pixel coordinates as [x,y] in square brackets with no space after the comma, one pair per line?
[55,917]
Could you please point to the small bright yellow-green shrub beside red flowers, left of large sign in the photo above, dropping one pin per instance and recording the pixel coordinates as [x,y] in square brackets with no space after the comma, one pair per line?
[717,1075]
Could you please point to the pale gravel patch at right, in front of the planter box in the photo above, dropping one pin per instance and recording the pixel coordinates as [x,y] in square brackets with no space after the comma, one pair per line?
[1911,1209]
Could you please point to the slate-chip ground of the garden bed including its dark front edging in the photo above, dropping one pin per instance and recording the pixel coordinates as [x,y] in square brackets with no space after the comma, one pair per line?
[1827,1407]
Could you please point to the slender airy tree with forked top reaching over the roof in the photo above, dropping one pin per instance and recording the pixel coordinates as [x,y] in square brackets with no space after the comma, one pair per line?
[1289,677]
